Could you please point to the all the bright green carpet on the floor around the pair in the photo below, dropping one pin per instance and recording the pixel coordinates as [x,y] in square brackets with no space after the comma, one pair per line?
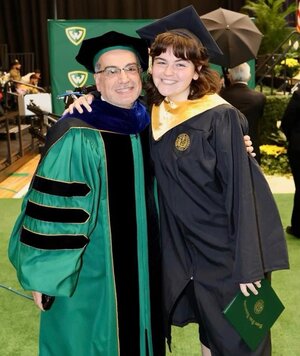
[19,317]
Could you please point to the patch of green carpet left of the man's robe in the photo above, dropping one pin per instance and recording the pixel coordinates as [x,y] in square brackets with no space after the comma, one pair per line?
[19,316]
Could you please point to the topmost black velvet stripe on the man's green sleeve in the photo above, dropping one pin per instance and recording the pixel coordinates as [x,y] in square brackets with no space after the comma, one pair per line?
[63,189]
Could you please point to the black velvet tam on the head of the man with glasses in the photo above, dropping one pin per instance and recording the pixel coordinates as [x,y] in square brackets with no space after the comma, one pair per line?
[90,47]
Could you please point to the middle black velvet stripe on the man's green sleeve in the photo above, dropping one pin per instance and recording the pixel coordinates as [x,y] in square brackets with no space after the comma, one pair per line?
[53,214]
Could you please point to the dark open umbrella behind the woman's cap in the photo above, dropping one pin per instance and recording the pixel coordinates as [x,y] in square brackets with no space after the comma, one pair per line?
[235,34]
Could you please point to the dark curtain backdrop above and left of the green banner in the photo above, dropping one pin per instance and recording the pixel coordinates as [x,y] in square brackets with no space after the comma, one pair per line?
[23,23]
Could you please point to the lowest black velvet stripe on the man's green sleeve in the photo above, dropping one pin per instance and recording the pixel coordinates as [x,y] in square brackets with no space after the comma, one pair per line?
[53,242]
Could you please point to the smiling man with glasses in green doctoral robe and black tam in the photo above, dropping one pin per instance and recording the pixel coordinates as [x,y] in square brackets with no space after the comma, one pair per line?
[88,233]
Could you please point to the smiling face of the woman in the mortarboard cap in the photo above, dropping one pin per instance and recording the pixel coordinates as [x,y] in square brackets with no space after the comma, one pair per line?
[172,75]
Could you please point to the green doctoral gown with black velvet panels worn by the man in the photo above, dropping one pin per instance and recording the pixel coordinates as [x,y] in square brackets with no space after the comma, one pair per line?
[82,237]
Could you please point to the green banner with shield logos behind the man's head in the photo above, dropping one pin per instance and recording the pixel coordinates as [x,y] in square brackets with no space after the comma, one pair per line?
[65,37]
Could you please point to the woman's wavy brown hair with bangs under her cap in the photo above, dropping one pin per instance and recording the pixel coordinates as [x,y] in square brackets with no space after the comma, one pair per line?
[186,46]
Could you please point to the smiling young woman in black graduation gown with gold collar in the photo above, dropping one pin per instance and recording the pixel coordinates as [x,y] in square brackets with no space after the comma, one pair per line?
[220,228]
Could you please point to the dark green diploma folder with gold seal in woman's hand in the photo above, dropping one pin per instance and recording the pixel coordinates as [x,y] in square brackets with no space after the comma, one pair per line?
[253,316]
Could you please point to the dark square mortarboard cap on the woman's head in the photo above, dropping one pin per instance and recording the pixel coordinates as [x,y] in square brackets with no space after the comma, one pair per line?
[186,18]
